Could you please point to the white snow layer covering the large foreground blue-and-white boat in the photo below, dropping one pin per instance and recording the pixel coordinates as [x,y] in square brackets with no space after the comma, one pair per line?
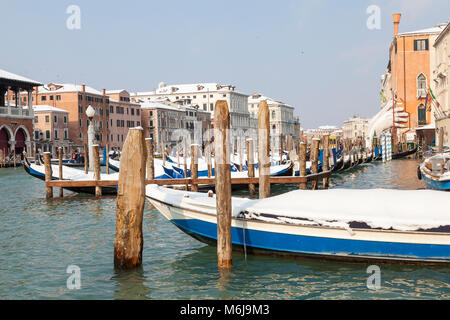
[403,210]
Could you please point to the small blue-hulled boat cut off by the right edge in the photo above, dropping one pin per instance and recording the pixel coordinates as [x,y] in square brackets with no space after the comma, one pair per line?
[435,171]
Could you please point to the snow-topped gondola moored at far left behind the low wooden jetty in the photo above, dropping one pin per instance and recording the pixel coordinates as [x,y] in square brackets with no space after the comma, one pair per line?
[73,174]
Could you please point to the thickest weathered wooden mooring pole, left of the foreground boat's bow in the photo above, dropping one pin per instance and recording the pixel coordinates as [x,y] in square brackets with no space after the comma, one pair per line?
[129,240]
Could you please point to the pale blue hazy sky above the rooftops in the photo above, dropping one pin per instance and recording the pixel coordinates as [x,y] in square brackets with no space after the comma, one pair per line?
[318,56]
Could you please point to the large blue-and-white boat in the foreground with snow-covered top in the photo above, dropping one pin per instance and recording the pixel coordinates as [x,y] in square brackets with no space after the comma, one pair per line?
[311,224]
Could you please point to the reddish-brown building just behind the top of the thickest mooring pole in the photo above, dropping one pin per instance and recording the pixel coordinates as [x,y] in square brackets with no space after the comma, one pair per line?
[123,114]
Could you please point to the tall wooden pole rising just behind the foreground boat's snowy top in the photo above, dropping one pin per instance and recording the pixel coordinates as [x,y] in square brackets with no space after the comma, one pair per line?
[263,150]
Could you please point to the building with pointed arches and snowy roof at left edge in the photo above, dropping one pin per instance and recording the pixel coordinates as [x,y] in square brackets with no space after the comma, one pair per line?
[16,121]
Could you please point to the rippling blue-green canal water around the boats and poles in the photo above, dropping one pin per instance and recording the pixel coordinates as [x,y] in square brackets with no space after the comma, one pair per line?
[39,239]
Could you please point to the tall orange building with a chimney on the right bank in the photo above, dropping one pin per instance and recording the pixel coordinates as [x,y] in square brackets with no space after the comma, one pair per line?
[408,74]
